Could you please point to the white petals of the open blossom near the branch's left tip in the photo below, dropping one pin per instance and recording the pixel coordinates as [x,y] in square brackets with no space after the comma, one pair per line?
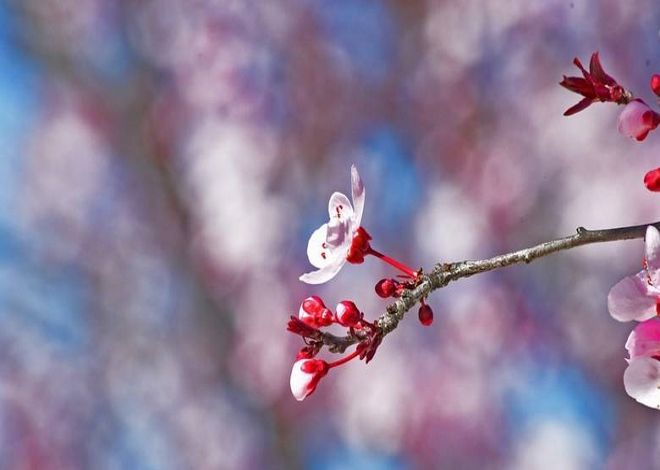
[329,245]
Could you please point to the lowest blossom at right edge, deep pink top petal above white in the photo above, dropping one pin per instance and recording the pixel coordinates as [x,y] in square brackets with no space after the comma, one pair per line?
[641,378]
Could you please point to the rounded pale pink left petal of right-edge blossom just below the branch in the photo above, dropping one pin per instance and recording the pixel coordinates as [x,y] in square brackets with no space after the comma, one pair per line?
[632,299]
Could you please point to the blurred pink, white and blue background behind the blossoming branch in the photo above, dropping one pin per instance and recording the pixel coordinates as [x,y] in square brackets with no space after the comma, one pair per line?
[163,163]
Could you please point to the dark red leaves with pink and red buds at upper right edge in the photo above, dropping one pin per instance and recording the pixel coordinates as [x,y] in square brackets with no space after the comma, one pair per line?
[636,119]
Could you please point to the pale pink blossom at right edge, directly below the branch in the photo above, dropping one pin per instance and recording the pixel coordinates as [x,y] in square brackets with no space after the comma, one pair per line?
[636,297]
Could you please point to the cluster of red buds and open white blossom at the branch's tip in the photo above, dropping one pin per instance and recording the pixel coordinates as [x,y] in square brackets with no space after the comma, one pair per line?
[339,241]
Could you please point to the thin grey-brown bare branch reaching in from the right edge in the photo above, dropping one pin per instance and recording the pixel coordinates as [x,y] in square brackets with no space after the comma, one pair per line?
[444,273]
